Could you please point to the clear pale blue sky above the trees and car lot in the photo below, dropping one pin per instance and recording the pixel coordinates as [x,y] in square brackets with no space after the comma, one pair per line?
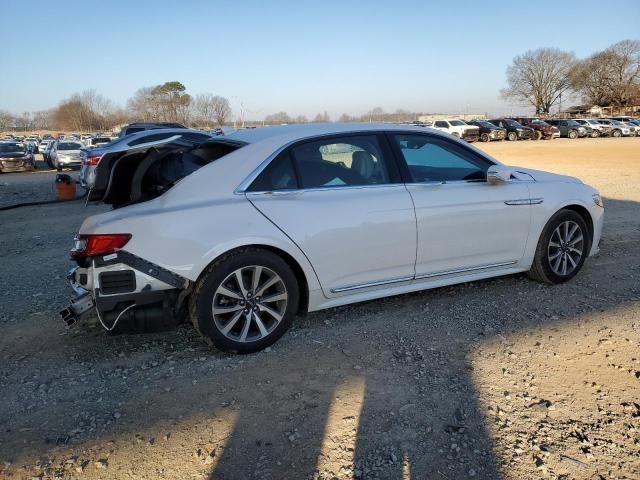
[301,57]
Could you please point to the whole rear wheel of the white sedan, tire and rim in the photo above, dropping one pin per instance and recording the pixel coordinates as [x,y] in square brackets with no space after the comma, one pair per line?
[245,301]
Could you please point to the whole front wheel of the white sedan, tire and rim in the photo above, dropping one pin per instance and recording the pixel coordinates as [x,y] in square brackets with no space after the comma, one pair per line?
[562,249]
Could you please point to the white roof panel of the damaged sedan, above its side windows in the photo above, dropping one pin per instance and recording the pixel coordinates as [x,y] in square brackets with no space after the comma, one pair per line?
[291,133]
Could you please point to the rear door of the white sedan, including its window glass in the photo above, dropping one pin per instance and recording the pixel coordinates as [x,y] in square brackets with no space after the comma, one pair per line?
[341,200]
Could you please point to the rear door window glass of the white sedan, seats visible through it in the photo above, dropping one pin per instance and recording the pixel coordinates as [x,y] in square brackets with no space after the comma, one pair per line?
[339,162]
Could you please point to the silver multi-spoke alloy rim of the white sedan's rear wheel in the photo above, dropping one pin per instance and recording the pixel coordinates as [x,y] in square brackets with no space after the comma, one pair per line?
[249,304]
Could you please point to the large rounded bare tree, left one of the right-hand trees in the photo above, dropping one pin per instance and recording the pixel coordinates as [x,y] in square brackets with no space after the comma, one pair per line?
[539,77]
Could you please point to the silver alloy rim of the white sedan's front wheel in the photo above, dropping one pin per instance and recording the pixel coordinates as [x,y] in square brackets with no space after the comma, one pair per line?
[565,248]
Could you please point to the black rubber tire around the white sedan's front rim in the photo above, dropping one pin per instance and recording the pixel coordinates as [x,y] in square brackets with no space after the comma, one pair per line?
[541,268]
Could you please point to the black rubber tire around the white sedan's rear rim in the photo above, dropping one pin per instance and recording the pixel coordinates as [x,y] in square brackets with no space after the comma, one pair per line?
[202,298]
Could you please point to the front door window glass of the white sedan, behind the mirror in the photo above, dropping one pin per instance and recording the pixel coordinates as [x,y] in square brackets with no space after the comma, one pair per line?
[435,160]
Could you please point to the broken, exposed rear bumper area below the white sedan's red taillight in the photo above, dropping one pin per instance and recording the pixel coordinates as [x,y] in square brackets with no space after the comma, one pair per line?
[122,288]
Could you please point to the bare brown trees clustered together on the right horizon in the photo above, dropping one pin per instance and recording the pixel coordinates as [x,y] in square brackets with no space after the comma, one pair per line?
[608,78]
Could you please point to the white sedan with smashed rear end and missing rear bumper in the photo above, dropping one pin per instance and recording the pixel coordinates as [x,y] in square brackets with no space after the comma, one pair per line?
[244,231]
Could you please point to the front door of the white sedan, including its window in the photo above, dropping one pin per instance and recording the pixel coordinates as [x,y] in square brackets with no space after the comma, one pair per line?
[464,223]
